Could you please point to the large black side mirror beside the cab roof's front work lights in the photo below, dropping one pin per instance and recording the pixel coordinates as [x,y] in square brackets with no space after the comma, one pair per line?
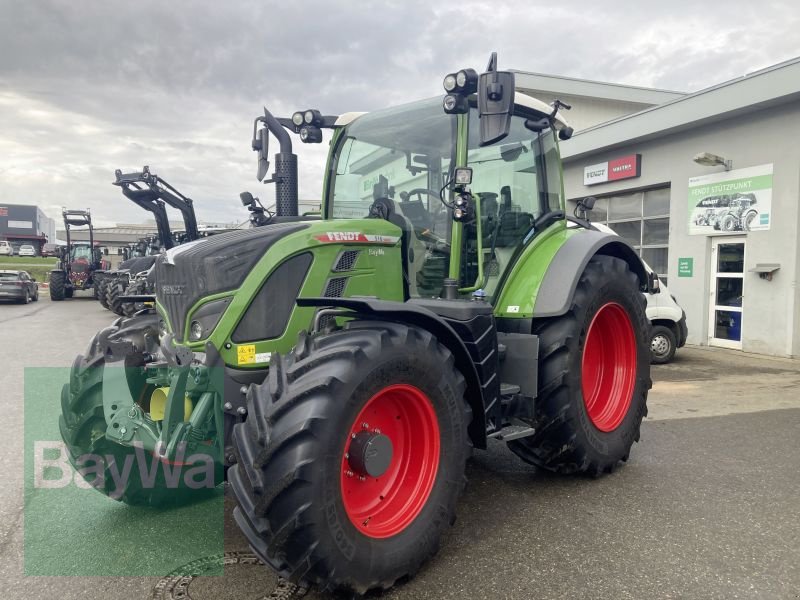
[495,102]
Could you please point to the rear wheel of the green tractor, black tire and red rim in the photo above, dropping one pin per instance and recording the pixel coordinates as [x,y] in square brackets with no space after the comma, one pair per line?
[568,438]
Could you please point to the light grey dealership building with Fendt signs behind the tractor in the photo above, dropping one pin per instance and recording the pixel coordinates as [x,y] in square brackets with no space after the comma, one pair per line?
[706,187]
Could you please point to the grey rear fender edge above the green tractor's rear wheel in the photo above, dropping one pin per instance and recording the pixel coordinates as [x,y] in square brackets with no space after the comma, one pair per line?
[558,285]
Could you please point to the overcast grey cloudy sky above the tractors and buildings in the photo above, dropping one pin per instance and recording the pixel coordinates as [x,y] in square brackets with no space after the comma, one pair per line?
[90,86]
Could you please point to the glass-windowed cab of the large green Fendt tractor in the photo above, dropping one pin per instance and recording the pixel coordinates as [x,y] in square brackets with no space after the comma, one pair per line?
[400,164]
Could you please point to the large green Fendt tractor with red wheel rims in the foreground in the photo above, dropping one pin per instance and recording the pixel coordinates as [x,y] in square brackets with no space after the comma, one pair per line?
[341,371]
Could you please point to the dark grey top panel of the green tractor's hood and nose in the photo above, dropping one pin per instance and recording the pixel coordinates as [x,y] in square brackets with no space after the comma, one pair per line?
[187,273]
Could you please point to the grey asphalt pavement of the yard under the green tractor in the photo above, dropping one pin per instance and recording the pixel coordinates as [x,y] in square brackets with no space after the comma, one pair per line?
[707,507]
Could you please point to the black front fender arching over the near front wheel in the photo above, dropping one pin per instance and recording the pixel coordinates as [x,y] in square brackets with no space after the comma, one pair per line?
[482,389]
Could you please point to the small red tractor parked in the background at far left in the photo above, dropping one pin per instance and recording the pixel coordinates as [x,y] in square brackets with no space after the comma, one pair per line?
[78,261]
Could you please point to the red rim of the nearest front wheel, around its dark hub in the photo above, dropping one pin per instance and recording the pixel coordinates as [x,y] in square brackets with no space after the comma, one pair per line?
[383,506]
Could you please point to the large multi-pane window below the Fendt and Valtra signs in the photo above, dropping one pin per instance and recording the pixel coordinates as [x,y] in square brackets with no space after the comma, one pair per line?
[642,218]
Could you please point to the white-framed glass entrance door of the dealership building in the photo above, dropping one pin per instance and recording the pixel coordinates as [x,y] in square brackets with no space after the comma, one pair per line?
[727,292]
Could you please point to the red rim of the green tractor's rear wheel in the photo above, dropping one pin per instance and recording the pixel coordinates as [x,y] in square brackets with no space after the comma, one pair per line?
[609,367]
